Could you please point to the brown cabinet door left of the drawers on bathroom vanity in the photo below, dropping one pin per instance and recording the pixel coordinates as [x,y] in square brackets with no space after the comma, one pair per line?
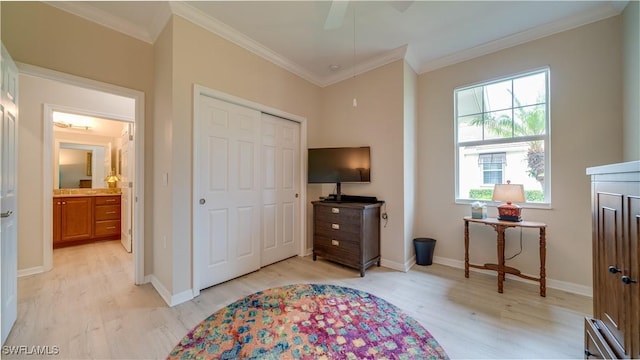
[76,218]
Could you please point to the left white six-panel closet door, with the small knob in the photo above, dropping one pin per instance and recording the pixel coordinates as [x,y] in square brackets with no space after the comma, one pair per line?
[227,229]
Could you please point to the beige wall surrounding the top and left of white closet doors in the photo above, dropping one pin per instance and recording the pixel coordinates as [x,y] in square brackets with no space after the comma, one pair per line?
[200,57]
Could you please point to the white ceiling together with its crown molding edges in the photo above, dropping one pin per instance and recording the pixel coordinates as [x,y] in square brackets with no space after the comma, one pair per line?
[293,34]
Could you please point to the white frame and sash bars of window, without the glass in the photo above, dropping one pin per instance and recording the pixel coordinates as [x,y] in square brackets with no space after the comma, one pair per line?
[545,138]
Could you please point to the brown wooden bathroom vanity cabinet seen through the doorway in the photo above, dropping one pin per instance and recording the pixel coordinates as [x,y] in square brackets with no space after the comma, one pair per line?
[82,219]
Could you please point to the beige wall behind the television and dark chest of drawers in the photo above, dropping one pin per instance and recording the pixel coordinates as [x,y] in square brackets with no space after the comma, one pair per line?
[377,122]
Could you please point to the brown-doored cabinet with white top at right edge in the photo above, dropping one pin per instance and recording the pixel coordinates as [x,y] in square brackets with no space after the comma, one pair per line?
[614,330]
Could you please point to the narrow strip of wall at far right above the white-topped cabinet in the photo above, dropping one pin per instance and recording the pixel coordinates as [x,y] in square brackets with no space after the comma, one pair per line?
[631,87]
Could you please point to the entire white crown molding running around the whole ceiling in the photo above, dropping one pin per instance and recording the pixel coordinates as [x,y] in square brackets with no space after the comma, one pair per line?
[223,30]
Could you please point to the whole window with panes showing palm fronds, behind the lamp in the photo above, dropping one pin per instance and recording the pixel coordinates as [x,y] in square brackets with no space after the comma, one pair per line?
[502,134]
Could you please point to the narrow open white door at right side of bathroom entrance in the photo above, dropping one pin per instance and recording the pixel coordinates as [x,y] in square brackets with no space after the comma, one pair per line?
[125,160]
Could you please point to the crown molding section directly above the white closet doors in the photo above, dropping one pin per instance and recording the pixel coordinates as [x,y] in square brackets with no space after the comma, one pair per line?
[225,31]
